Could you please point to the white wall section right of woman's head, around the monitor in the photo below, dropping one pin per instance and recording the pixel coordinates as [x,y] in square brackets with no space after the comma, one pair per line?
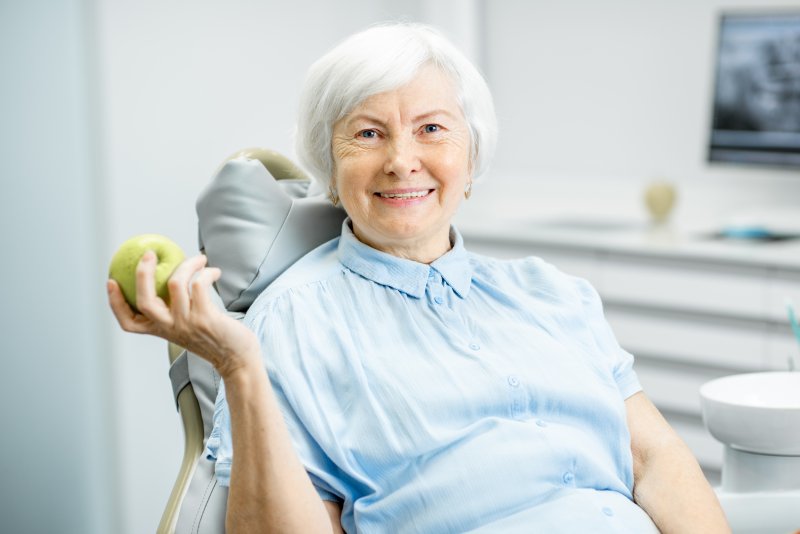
[601,97]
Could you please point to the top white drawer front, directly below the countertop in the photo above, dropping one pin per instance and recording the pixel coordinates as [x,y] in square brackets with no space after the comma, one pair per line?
[668,283]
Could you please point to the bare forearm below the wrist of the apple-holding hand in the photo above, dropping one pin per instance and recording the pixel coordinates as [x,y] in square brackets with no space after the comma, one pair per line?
[270,489]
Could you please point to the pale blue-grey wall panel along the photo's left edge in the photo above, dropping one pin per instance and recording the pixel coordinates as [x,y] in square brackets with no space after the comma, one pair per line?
[56,456]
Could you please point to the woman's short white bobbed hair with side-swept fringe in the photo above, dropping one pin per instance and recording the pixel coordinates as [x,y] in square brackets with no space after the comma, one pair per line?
[380,59]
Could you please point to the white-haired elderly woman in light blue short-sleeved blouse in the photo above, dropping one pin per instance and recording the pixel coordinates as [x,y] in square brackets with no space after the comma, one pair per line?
[410,385]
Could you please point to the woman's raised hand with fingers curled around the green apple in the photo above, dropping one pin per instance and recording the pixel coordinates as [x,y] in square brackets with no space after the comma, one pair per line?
[191,320]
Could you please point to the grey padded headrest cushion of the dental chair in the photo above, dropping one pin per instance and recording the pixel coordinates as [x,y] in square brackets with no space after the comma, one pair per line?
[254,227]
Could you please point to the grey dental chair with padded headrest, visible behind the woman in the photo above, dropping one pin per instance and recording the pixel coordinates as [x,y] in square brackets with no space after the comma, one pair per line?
[259,214]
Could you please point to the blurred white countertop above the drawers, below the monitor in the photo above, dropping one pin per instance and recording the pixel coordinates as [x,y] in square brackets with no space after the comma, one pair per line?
[599,226]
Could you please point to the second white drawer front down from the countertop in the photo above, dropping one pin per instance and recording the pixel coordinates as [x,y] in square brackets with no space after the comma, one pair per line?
[734,345]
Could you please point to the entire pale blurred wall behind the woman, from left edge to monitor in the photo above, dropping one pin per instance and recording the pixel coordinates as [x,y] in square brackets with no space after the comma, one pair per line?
[115,114]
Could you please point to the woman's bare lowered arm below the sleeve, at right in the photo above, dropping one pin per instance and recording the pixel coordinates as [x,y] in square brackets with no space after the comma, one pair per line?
[668,482]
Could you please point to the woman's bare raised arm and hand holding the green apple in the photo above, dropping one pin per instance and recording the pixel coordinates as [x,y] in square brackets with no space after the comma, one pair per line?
[270,489]
